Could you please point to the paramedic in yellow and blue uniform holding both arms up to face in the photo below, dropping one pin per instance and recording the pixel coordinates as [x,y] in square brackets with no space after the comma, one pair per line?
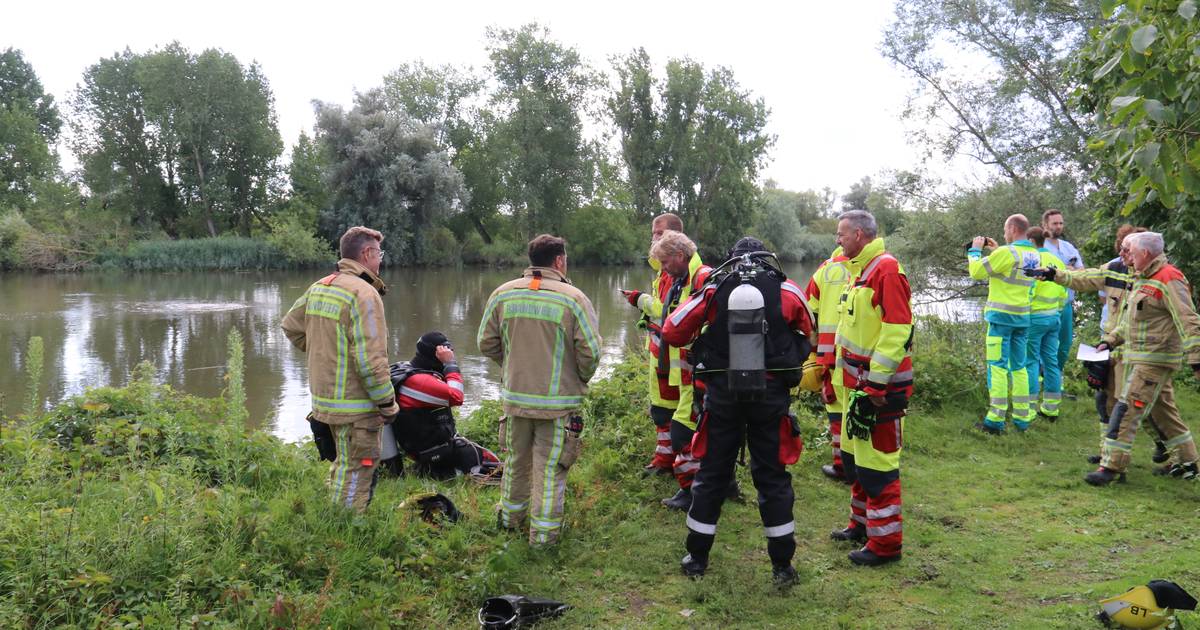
[1007,313]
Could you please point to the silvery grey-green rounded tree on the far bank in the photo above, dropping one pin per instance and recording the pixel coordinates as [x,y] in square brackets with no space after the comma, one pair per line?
[388,172]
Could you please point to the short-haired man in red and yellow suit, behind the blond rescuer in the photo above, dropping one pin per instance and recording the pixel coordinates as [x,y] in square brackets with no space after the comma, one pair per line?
[664,370]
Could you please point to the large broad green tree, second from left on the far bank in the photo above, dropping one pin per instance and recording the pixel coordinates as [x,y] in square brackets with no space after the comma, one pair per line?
[188,143]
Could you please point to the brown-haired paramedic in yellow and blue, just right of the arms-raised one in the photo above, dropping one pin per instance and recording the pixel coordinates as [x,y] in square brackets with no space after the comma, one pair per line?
[1042,355]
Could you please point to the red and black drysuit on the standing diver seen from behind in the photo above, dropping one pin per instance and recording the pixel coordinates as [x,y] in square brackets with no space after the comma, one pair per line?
[764,421]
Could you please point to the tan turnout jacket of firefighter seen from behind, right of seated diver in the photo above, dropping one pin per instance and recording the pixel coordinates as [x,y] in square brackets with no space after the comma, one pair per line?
[545,335]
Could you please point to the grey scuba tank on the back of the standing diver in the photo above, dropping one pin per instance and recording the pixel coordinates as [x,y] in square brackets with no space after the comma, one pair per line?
[748,340]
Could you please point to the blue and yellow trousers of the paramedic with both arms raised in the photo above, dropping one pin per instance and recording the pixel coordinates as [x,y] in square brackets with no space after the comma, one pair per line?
[1007,377]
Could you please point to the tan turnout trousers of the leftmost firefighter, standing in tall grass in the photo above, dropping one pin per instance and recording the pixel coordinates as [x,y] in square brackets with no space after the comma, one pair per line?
[352,477]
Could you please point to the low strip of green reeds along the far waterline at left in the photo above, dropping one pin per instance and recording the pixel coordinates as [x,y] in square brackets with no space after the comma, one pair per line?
[219,254]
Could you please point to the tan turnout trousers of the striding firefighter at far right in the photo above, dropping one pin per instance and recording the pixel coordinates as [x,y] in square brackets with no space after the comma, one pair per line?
[1147,394]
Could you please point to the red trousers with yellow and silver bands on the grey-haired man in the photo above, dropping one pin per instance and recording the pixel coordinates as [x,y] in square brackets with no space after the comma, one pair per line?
[873,466]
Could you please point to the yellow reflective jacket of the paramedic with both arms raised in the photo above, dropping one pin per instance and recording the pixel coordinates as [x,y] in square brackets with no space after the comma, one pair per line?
[1010,292]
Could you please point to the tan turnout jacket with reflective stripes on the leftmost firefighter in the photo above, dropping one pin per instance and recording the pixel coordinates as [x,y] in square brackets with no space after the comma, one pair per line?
[340,325]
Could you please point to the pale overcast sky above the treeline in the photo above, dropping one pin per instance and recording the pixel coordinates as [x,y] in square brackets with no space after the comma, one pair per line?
[835,101]
